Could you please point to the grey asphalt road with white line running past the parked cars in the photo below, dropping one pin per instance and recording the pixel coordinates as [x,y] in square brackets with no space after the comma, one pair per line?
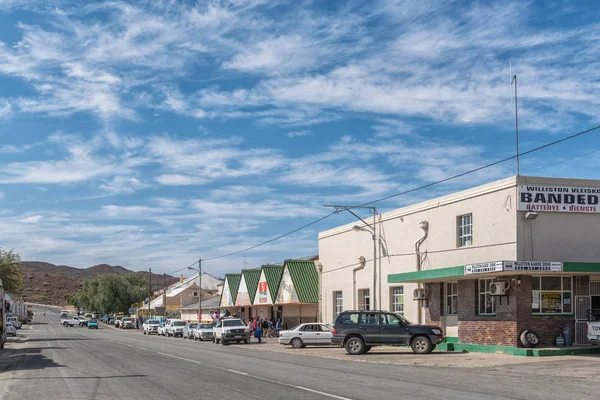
[49,361]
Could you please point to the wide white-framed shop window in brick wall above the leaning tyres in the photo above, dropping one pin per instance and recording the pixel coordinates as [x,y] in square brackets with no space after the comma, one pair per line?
[552,294]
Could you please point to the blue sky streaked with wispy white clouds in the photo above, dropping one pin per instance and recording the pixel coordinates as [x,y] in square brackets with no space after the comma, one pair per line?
[148,134]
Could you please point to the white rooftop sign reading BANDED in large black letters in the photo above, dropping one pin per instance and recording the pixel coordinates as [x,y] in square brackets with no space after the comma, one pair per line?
[559,199]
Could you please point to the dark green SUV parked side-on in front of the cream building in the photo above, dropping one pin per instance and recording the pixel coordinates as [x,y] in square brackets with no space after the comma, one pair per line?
[359,331]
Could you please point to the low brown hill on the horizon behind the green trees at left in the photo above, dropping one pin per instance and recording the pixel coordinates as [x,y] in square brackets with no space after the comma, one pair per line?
[46,283]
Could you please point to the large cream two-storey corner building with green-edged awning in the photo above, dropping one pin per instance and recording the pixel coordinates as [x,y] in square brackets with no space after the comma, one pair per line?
[432,246]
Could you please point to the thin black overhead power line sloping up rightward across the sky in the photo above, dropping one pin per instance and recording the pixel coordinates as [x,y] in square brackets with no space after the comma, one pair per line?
[408,191]
